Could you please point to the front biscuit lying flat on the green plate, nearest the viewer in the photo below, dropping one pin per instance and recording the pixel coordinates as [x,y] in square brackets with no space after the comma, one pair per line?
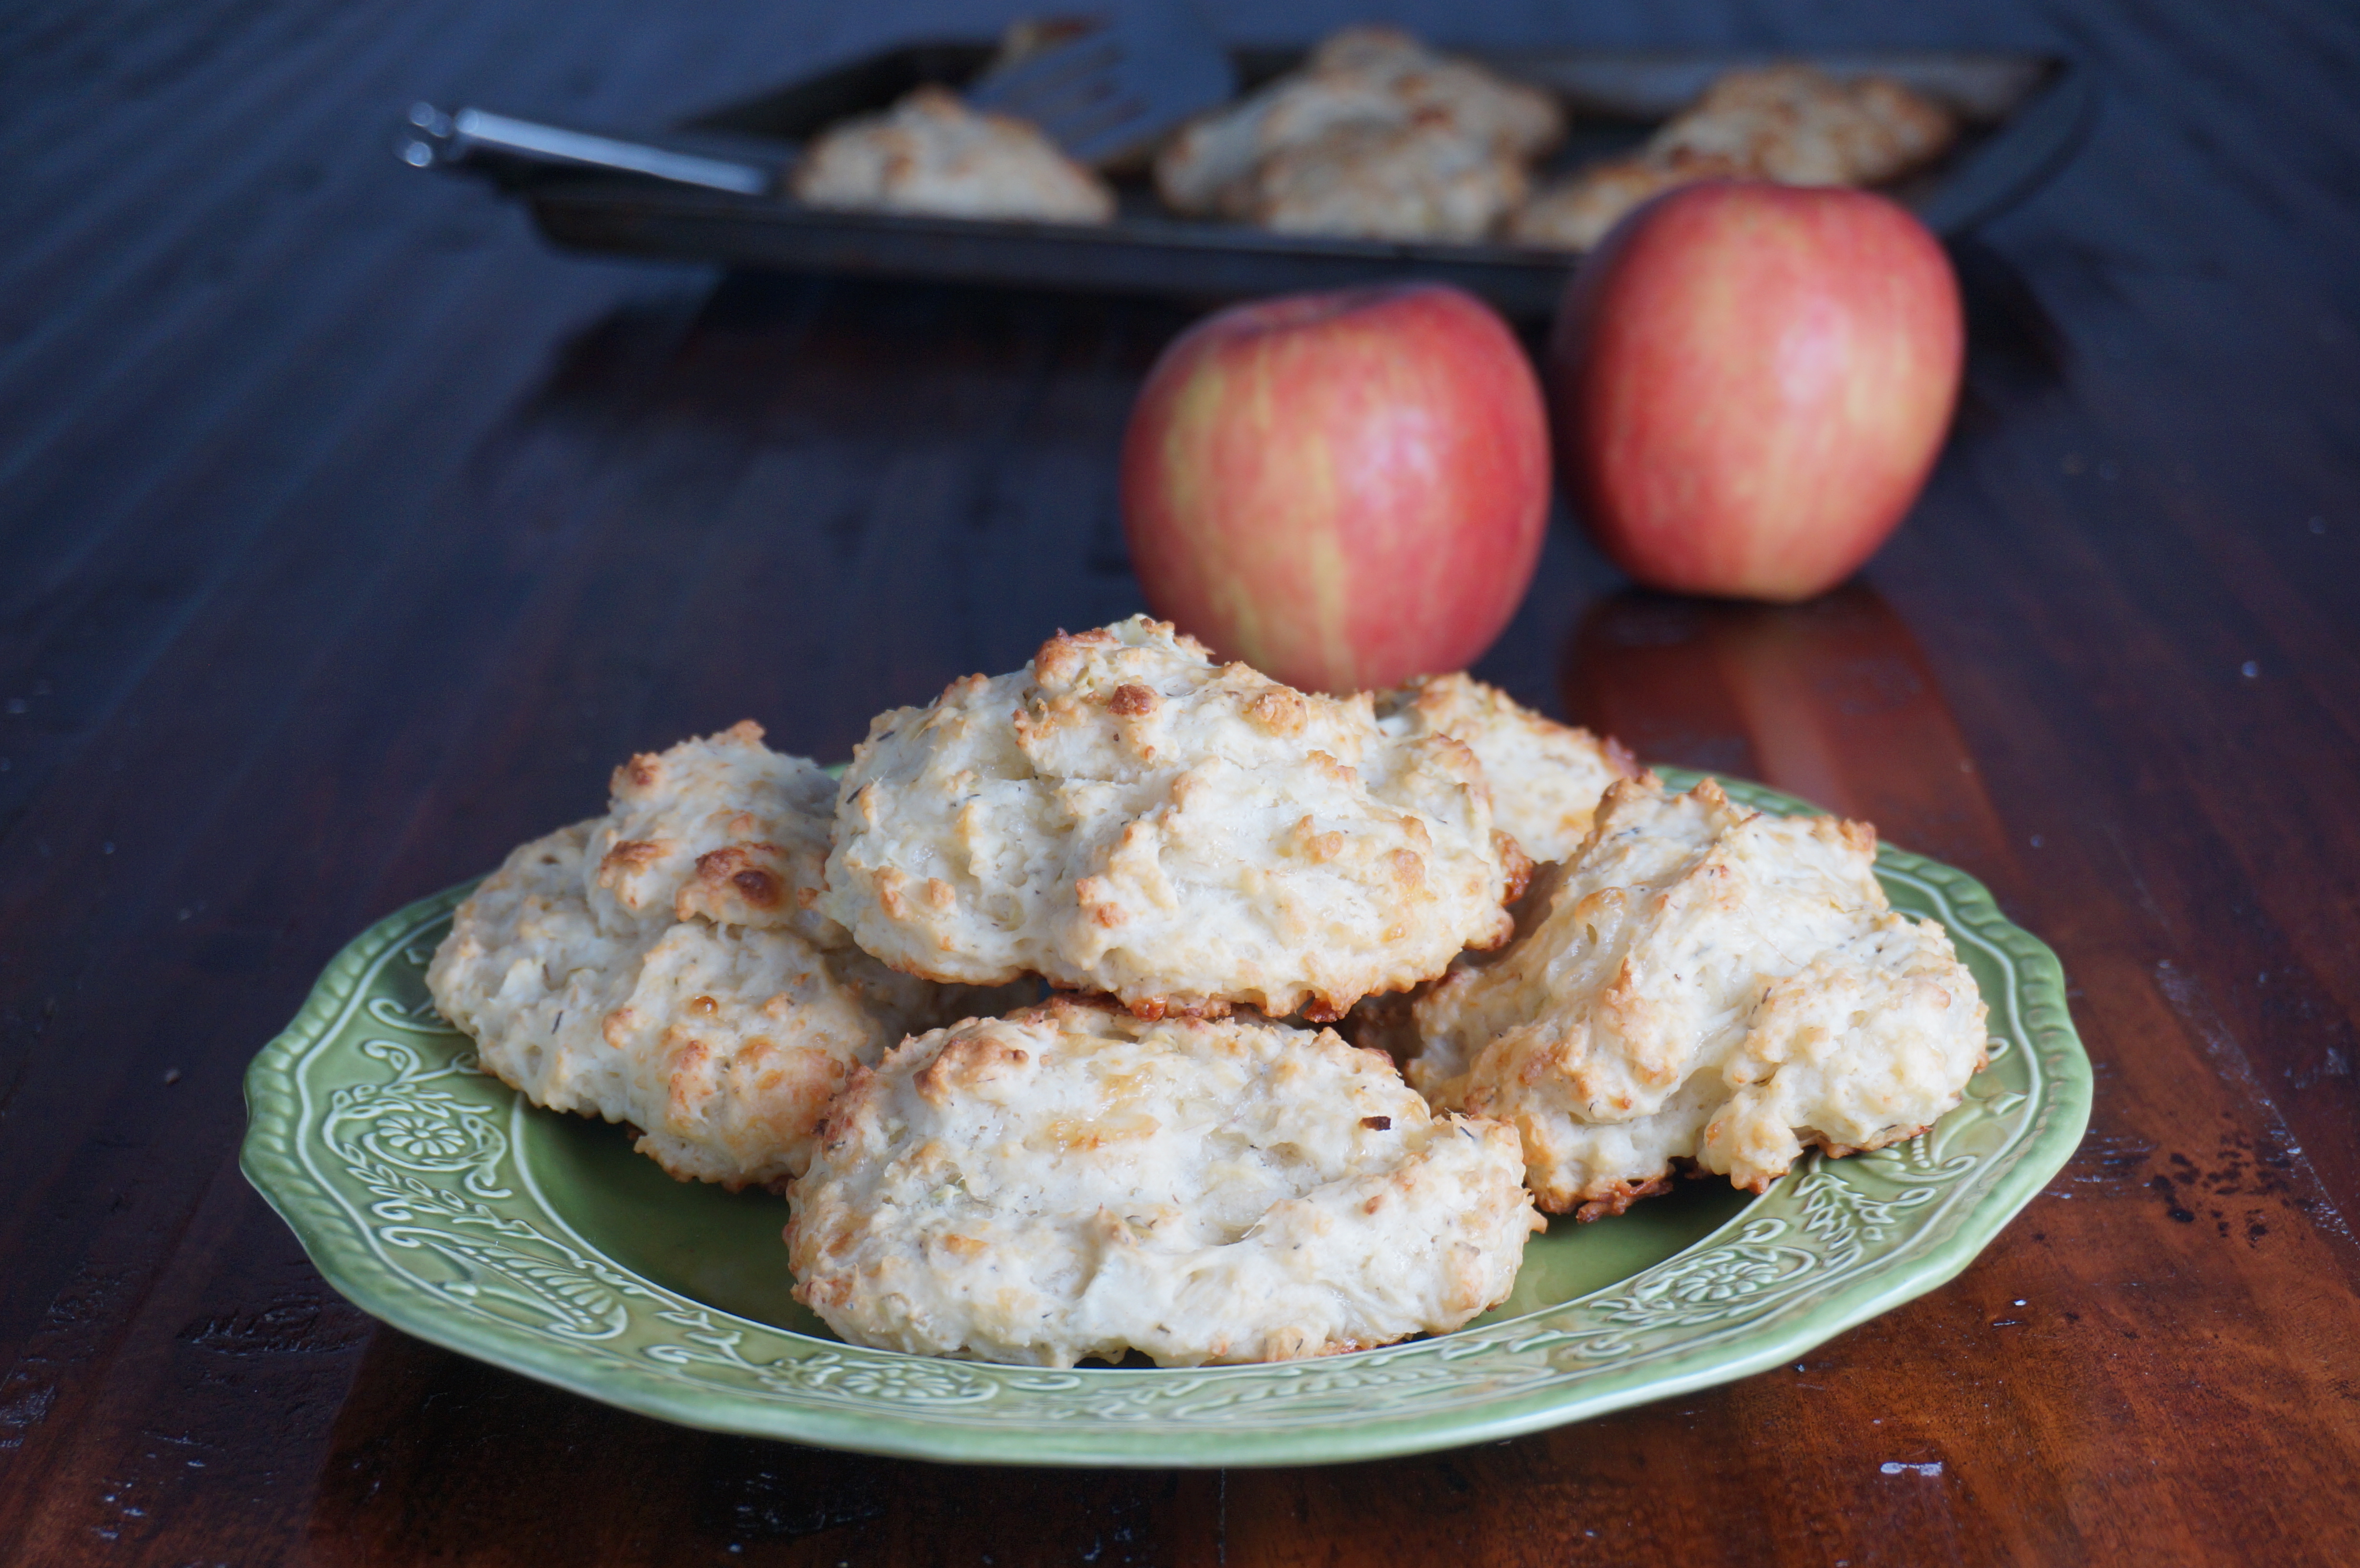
[1077,1182]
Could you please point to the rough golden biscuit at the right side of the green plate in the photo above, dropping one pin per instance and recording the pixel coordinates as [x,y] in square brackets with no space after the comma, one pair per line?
[1707,986]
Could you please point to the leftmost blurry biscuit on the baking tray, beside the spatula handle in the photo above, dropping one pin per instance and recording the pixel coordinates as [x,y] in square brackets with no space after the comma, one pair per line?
[933,155]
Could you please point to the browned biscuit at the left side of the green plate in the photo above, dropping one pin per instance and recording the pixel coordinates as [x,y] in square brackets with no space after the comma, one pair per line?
[586,988]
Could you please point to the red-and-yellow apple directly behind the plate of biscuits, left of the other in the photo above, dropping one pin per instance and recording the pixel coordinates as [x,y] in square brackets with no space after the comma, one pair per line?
[1342,490]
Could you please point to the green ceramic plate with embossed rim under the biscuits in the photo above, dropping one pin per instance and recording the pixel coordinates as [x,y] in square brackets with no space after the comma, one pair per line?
[445,1206]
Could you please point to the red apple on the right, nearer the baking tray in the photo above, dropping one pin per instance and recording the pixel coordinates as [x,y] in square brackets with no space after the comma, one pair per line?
[1752,384]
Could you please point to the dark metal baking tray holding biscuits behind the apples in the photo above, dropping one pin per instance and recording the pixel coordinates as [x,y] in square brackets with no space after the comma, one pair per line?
[2024,117]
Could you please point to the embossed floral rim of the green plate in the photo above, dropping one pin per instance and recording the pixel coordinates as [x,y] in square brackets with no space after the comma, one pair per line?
[1743,1300]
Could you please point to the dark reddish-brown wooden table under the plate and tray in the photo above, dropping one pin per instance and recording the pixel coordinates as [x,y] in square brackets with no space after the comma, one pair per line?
[350,537]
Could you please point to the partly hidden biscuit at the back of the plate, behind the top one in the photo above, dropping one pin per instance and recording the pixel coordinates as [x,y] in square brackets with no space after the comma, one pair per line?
[1545,778]
